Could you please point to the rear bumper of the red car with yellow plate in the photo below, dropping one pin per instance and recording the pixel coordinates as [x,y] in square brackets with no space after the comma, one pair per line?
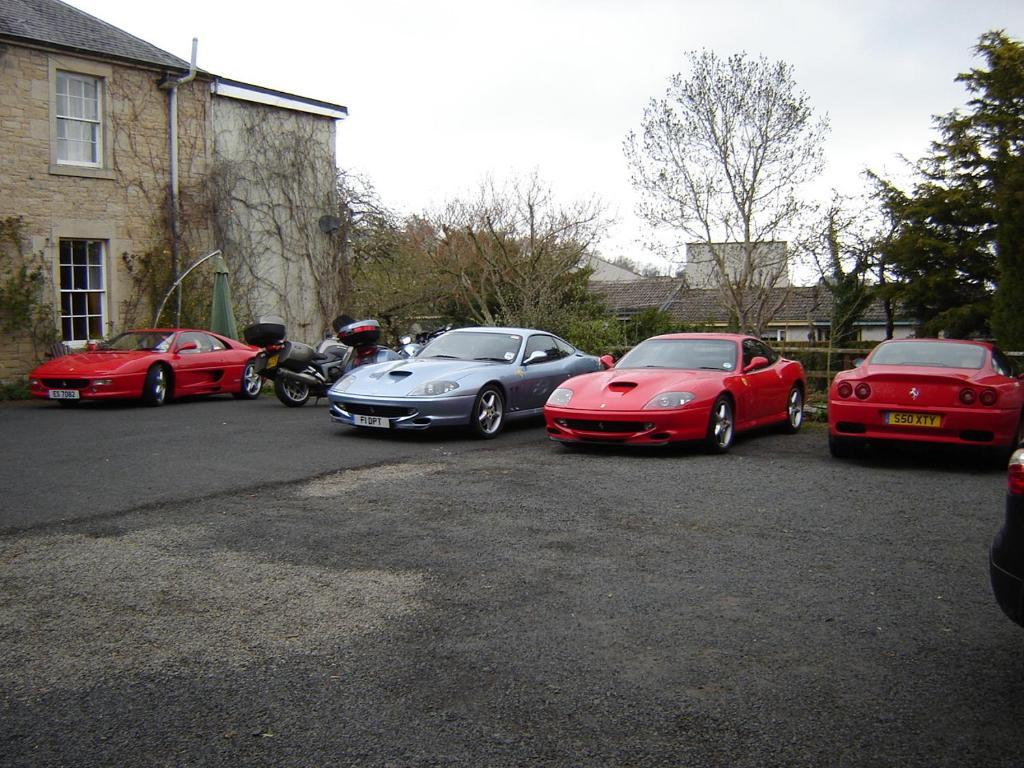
[961,426]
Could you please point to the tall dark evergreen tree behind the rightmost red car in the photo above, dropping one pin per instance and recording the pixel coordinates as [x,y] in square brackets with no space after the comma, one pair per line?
[959,243]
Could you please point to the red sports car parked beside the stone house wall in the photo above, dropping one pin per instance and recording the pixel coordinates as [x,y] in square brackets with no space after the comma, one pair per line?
[154,365]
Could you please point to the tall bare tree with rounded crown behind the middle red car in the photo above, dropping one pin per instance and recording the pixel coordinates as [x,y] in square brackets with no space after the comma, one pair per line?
[719,161]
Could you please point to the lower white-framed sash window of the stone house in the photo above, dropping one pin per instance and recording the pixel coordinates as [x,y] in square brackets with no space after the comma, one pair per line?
[83,290]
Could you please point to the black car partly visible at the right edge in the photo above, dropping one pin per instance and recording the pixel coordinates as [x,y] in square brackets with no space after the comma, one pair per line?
[1006,559]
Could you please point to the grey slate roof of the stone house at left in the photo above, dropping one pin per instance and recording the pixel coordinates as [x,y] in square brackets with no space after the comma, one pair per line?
[61,26]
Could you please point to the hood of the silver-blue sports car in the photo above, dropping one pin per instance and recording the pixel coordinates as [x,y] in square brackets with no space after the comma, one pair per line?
[402,377]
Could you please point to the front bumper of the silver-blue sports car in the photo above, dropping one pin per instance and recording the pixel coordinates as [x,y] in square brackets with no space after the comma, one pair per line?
[406,413]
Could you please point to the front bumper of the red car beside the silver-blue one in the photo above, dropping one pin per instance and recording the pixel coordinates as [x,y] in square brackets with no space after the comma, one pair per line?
[628,428]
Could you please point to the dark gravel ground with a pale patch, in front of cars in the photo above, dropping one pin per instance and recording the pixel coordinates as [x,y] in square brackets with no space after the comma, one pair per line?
[523,605]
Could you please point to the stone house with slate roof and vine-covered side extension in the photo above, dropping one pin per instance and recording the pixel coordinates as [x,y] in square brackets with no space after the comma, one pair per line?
[102,134]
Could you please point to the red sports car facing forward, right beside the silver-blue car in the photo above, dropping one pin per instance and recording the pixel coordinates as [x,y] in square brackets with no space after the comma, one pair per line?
[681,388]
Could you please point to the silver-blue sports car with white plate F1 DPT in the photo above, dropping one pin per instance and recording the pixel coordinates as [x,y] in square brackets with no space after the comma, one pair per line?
[475,376]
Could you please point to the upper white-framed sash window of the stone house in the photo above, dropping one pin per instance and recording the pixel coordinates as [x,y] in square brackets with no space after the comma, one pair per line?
[79,124]
